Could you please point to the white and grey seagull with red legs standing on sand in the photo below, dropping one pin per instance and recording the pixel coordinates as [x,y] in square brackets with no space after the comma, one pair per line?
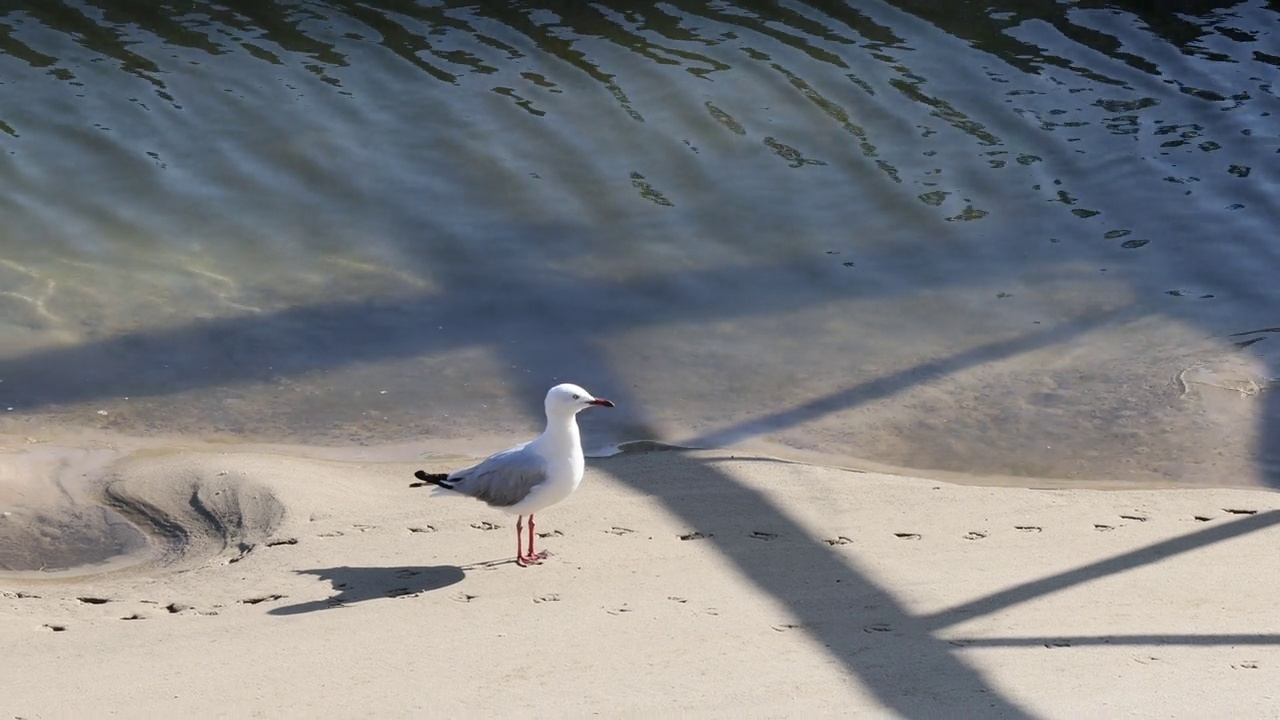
[532,476]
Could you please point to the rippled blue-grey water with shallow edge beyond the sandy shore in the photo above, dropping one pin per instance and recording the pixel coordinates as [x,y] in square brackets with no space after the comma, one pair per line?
[1027,239]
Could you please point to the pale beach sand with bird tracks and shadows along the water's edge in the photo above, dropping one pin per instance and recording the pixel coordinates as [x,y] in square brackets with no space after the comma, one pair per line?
[696,584]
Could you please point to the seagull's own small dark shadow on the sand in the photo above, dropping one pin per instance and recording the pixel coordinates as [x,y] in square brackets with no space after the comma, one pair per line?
[358,585]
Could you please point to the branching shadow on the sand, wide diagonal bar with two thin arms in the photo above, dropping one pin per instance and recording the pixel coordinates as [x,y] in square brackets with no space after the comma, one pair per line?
[872,628]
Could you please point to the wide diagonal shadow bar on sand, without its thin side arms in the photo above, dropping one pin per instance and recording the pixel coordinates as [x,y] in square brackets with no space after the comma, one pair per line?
[872,634]
